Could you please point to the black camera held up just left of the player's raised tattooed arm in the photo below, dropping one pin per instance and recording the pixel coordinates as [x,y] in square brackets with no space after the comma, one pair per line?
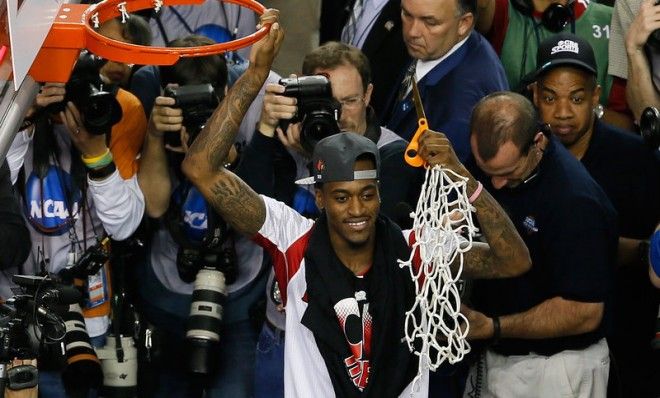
[197,102]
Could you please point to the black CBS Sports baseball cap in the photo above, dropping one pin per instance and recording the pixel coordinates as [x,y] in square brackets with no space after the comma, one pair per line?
[565,49]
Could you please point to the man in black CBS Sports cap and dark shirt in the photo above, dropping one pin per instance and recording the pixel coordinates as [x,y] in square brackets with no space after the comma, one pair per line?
[566,95]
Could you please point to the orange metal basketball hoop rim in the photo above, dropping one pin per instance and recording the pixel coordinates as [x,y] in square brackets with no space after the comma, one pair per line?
[147,55]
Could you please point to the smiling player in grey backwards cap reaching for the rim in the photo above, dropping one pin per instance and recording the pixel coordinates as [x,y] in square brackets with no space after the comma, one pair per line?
[344,293]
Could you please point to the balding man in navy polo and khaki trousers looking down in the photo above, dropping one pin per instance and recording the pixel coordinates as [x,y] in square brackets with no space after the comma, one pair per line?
[547,325]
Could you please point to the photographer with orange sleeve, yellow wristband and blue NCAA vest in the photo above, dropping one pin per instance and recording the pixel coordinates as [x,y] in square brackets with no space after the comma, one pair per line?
[74,164]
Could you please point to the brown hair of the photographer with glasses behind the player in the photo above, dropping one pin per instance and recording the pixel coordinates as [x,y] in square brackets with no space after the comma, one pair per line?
[334,54]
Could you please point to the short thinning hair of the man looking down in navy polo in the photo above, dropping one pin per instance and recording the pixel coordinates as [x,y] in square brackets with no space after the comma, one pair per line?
[501,117]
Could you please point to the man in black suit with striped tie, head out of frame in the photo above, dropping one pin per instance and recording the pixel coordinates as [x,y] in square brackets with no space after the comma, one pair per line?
[377,33]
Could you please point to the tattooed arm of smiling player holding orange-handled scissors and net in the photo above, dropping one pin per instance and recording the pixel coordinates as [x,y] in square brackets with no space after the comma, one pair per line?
[505,253]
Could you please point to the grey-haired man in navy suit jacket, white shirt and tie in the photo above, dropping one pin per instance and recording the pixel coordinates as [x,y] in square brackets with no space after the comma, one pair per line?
[453,65]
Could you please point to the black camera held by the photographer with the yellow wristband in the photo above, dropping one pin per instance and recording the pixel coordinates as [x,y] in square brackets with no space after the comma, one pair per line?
[95,100]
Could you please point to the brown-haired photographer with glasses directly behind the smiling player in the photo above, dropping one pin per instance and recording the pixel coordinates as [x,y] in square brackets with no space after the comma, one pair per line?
[349,73]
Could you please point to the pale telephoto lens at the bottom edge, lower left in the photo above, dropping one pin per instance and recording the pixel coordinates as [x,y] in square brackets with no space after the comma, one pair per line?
[119,364]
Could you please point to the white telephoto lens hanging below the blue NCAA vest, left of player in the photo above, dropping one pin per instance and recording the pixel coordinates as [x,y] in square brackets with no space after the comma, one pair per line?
[204,321]
